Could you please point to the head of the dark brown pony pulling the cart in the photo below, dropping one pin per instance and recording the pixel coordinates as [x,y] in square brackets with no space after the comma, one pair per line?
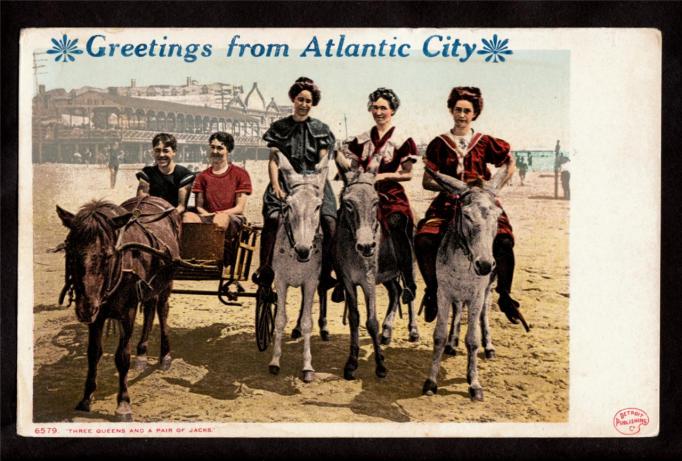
[89,254]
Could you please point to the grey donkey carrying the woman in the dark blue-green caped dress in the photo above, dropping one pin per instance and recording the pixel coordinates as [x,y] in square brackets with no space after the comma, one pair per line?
[297,257]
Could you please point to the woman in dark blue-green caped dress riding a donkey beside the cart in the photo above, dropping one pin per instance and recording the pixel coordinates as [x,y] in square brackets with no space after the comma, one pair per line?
[304,141]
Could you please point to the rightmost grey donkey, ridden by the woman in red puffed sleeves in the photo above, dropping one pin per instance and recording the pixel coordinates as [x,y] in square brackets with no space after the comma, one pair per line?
[465,270]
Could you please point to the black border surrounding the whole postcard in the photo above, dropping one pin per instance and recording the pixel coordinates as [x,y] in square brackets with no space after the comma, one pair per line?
[663,16]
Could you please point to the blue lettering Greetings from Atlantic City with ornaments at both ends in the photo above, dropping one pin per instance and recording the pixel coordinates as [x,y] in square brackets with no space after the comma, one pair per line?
[440,44]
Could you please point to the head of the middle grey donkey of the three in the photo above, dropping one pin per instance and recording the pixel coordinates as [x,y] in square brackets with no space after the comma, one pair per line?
[359,202]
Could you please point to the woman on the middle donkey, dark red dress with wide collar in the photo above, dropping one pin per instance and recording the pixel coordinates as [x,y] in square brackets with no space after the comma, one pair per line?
[396,154]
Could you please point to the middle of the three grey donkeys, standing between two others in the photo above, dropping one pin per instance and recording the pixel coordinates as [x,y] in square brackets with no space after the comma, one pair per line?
[365,259]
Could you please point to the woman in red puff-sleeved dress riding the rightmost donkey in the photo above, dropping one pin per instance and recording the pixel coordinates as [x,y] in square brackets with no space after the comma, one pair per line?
[464,154]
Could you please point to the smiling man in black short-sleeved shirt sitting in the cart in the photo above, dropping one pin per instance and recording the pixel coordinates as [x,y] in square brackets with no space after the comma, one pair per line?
[165,178]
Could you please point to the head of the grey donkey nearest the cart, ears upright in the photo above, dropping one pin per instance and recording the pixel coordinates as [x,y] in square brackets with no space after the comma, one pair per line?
[301,214]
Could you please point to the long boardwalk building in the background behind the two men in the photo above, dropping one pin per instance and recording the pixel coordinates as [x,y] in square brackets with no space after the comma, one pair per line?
[88,120]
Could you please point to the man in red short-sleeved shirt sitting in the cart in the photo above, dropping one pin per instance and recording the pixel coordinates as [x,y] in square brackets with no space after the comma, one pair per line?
[222,189]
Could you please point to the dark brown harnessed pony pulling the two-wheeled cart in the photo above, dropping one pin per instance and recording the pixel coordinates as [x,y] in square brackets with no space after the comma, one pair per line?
[116,258]
